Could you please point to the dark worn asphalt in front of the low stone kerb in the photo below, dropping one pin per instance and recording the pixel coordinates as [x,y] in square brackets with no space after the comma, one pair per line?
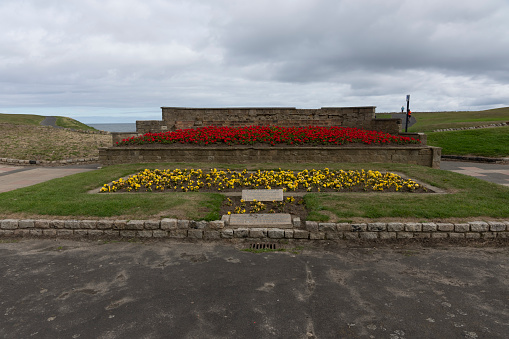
[70,289]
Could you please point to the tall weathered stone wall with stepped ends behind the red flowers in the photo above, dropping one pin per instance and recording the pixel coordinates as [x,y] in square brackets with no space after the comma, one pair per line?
[182,118]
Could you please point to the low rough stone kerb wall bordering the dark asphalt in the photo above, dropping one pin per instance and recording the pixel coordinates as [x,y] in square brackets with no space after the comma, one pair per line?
[219,229]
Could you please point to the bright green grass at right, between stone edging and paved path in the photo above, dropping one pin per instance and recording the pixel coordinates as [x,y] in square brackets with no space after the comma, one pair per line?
[488,142]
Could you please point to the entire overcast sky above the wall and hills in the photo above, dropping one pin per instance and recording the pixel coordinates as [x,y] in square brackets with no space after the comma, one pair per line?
[121,60]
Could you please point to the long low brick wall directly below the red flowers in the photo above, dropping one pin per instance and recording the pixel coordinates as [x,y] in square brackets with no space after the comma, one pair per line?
[413,154]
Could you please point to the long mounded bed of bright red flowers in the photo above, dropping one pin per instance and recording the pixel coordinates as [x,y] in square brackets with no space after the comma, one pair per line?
[272,135]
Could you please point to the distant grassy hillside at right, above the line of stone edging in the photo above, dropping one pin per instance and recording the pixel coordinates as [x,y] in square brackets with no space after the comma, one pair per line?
[428,122]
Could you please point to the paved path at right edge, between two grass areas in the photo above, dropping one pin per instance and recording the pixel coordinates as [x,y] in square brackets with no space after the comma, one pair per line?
[497,173]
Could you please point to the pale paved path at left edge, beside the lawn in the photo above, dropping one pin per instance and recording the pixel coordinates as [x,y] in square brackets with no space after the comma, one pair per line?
[14,177]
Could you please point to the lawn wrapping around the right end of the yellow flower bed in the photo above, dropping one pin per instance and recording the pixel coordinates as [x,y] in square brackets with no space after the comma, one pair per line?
[468,198]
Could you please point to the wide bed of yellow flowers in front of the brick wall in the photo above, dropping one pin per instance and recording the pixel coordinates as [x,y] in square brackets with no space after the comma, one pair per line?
[193,180]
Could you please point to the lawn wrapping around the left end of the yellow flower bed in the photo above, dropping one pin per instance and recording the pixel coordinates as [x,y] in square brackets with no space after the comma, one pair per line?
[68,197]
